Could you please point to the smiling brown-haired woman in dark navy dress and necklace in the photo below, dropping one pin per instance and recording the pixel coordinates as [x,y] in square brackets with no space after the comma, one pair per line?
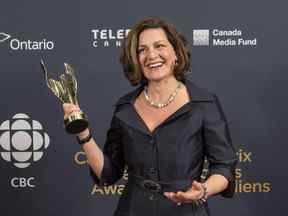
[162,131]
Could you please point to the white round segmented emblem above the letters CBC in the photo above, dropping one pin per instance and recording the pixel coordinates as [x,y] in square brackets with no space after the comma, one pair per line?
[22,141]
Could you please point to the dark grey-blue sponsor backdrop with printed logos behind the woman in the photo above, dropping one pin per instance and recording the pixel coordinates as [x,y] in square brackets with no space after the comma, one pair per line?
[238,52]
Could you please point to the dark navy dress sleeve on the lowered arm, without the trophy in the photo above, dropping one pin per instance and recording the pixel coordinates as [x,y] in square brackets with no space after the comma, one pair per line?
[219,149]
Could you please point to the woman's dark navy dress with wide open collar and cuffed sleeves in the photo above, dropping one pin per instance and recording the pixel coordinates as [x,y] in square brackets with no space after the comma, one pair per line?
[174,152]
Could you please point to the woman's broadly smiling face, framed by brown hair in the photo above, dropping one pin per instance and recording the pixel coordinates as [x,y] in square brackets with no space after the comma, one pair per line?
[156,54]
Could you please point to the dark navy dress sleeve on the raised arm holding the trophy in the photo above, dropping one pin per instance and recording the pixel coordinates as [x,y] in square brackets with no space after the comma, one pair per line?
[113,167]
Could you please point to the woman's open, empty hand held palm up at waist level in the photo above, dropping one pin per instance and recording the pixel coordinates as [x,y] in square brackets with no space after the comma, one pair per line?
[194,193]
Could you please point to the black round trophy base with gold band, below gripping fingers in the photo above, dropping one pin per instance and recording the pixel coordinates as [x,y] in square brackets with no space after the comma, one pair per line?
[76,123]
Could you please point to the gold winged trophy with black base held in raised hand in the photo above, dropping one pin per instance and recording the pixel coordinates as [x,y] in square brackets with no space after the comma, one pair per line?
[66,91]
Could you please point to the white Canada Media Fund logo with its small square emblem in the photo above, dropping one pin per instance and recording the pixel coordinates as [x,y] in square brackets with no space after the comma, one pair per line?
[217,38]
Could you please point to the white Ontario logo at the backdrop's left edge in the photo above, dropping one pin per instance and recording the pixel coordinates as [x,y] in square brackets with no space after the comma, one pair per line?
[18,44]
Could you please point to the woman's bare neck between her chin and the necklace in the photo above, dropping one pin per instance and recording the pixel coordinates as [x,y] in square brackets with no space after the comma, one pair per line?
[161,90]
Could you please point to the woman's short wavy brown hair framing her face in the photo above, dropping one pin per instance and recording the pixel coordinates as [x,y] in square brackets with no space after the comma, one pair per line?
[129,55]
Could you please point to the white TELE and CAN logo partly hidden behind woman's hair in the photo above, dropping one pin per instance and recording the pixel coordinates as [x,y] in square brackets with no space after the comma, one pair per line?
[104,37]
